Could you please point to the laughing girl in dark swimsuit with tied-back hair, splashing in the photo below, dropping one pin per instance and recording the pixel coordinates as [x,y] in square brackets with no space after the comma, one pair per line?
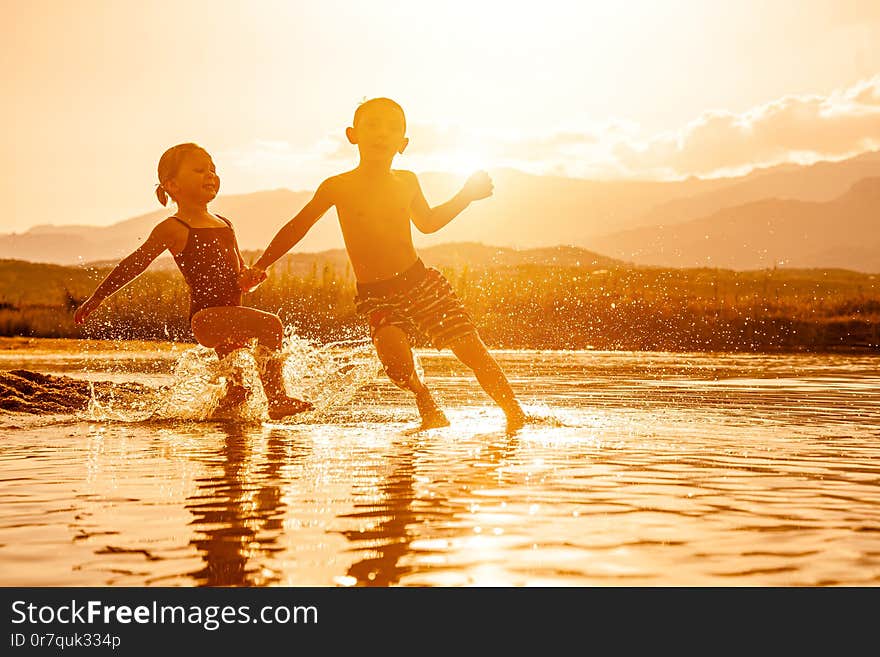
[206,252]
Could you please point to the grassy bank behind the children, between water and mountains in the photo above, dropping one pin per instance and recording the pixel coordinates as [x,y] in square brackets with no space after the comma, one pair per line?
[521,306]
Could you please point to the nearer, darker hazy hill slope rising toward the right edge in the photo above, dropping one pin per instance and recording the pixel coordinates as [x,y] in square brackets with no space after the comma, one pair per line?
[841,233]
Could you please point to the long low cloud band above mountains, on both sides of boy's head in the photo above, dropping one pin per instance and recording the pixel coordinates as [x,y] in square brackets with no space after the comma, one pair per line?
[795,128]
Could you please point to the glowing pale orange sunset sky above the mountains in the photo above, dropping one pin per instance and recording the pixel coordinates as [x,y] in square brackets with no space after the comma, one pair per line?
[94,91]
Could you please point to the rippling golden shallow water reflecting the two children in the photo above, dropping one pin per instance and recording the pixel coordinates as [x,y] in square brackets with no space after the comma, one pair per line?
[637,469]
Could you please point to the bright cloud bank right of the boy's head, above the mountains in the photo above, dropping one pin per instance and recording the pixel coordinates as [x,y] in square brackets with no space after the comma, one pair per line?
[794,128]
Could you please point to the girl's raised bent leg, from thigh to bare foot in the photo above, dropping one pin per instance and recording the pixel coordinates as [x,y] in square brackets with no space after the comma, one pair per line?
[232,327]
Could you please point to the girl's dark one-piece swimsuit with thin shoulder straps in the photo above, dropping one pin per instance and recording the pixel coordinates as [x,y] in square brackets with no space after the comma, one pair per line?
[210,263]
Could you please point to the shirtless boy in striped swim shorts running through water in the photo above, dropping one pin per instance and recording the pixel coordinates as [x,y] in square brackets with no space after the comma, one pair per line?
[395,290]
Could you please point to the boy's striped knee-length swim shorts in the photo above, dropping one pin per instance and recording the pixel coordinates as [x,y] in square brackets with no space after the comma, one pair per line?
[418,301]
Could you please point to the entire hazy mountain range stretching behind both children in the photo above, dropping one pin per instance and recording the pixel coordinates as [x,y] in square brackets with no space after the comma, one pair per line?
[820,215]
